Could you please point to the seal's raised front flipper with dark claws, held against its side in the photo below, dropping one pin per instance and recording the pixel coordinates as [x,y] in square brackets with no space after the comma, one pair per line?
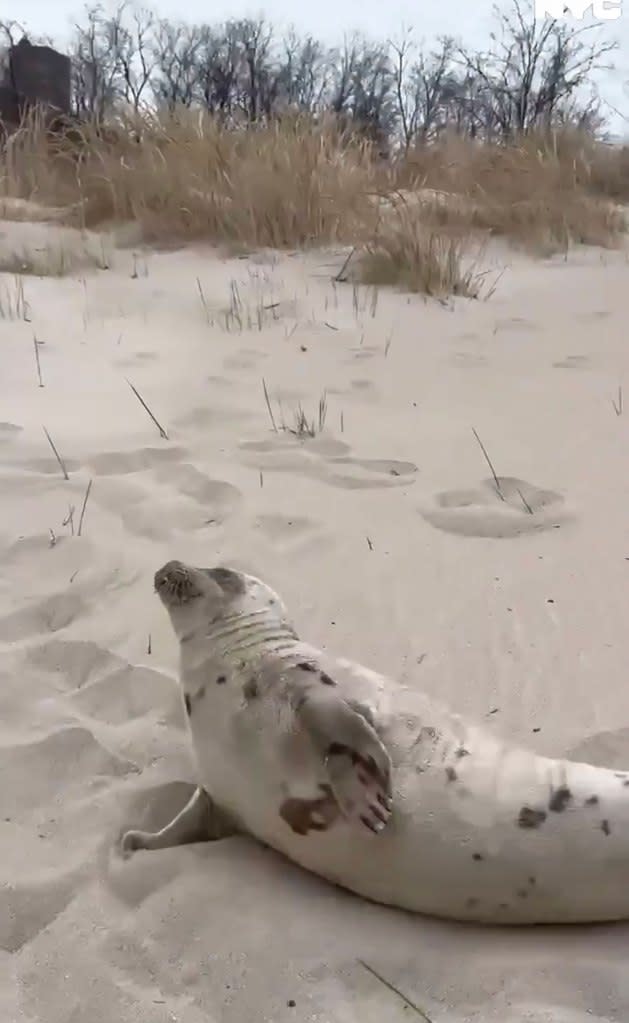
[357,763]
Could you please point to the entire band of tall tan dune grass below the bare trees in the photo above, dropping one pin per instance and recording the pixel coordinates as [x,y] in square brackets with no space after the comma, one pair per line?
[416,224]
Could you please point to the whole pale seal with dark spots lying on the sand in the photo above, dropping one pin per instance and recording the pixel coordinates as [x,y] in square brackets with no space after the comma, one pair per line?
[373,785]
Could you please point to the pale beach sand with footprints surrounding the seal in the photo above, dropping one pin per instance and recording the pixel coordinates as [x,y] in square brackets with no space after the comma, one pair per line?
[383,537]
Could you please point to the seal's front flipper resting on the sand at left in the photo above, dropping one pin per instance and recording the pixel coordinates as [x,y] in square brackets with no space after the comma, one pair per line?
[200,821]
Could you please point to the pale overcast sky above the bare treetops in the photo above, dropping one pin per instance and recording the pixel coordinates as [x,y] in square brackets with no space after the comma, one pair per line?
[329,20]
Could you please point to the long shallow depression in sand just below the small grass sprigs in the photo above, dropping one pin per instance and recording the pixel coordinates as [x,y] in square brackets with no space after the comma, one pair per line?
[326,460]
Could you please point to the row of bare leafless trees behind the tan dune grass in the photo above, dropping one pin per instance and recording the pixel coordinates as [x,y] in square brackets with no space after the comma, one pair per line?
[535,74]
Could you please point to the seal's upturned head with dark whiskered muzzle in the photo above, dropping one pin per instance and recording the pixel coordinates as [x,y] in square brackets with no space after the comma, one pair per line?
[207,598]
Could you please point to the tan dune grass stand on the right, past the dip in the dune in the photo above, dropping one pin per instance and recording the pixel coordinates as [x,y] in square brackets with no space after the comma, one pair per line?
[543,194]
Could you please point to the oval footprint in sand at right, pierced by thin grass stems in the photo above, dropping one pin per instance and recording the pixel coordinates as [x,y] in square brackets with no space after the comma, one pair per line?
[522,509]
